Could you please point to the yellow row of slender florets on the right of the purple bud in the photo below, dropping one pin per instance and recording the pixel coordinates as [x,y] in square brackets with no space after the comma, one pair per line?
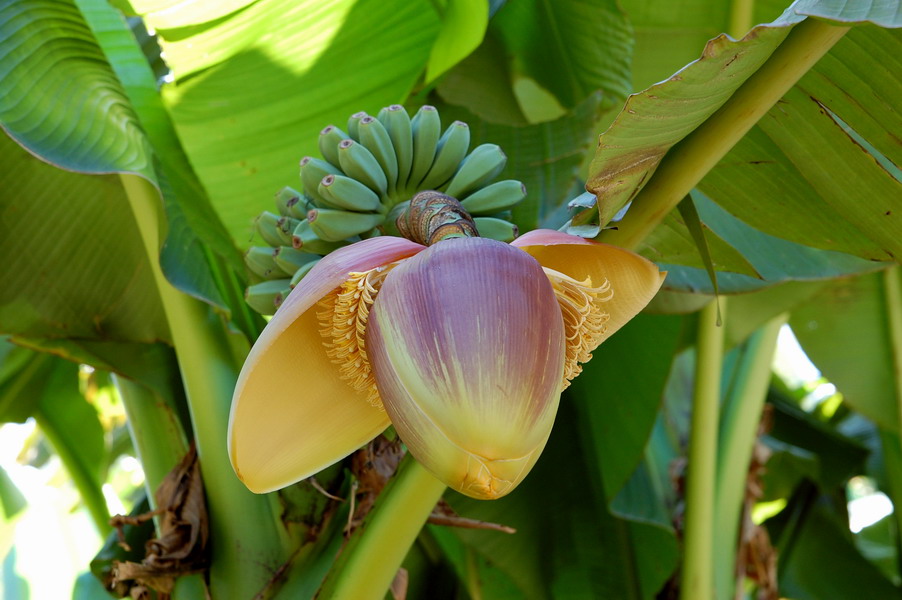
[585,322]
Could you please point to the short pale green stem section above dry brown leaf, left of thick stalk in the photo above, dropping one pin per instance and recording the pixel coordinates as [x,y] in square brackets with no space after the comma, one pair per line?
[155,430]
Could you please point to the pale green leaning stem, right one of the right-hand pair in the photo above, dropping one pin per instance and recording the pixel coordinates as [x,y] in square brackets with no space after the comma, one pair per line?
[738,431]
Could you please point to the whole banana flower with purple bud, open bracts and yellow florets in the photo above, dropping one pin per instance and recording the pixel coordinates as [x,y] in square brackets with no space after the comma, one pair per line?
[464,346]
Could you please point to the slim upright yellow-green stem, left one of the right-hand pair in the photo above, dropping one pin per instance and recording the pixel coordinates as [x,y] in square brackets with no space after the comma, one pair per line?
[697,578]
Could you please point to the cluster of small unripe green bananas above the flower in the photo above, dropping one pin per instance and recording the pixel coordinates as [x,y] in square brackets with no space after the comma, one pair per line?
[357,189]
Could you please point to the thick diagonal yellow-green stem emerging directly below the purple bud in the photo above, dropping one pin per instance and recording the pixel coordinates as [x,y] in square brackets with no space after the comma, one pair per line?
[371,559]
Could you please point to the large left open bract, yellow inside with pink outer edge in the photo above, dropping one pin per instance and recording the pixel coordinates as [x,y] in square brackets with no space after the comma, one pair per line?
[292,415]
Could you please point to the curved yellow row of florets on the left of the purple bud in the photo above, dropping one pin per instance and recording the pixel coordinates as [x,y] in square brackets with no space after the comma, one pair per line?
[343,325]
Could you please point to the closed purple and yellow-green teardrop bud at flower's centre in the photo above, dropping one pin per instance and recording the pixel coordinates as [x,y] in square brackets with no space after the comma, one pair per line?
[467,343]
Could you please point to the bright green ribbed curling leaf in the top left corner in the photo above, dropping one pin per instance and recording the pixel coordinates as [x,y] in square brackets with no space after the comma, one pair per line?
[61,99]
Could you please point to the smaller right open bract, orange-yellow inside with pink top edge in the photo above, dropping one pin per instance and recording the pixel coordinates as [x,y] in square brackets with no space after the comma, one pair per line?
[634,279]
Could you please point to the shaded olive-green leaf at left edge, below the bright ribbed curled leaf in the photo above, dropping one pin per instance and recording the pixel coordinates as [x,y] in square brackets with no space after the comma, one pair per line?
[73,263]
